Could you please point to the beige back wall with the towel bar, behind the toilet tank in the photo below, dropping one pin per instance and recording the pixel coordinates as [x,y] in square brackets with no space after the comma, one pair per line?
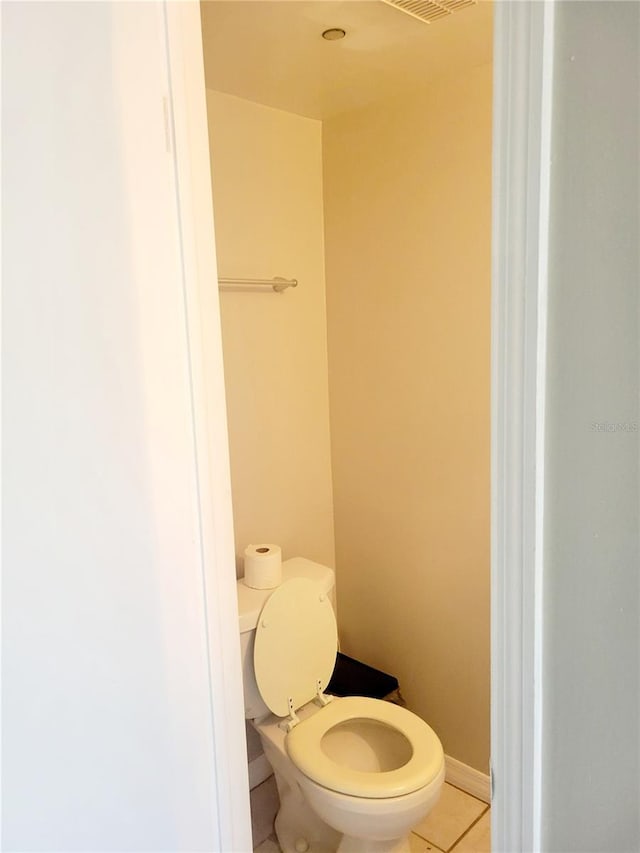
[267,191]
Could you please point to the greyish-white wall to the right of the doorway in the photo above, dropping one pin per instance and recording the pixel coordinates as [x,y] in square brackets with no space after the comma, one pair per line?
[591,721]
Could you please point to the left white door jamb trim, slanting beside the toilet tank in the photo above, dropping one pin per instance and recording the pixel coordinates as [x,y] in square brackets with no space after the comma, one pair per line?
[189,139]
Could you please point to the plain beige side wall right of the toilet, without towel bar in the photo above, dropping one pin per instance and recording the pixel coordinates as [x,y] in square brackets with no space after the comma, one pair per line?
[408,232]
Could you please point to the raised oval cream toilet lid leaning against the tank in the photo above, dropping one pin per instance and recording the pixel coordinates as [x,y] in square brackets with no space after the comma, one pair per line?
[295,645]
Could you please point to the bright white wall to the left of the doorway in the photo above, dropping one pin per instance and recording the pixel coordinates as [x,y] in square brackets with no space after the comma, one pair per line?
[108,739]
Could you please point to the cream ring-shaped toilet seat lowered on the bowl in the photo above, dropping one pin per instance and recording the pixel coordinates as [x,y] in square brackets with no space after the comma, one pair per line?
[305,749]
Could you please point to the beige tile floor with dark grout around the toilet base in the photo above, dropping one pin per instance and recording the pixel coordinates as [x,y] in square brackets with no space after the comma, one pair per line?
[459,824]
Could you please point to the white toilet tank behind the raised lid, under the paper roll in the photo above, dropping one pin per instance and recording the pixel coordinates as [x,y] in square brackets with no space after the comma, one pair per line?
[250,604]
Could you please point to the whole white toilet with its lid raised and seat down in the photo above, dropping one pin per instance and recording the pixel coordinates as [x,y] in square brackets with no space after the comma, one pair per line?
[354,774]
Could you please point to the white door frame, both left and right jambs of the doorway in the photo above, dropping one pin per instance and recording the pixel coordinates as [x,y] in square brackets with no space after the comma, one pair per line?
[522,125]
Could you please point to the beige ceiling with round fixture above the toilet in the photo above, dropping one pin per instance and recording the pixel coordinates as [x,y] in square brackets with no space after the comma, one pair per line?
[272,51]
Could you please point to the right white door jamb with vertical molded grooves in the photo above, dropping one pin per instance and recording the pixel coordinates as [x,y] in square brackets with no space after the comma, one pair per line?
[523,53]
